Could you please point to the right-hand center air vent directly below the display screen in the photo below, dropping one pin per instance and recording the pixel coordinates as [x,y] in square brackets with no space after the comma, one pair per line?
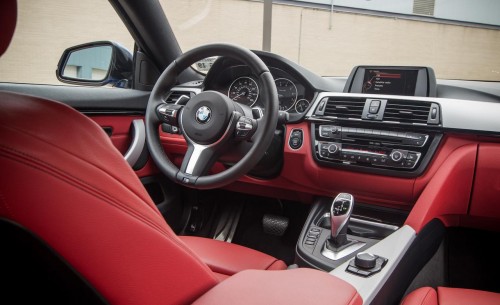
[409,112]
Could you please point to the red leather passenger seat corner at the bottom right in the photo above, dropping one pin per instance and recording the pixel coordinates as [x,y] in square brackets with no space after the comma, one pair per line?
[450,296]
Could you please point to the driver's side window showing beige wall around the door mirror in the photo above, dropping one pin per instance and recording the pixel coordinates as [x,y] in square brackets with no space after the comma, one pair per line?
[45,29]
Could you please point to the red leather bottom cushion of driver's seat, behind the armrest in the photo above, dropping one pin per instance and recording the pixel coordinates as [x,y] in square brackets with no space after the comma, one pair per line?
[226,259]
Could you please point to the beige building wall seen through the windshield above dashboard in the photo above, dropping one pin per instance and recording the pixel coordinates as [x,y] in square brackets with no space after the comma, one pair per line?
[332,44]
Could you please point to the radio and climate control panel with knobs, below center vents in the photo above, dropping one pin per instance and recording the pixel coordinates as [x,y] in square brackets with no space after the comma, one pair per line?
[398,151]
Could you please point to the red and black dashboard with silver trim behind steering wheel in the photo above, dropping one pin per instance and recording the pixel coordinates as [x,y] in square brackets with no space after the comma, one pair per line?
[382,133]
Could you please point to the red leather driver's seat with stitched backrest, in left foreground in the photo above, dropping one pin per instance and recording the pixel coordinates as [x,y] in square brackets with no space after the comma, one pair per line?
[63,181]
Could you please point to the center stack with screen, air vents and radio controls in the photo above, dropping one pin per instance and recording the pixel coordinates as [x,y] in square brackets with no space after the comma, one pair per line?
[384,122]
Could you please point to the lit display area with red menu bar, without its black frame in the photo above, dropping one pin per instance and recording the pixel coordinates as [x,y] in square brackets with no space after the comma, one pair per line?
[385,81]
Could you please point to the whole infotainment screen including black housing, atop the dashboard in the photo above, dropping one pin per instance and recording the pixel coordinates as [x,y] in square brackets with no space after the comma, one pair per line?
[392,80]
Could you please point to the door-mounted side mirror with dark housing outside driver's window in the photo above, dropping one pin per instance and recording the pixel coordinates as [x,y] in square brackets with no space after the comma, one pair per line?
[96,64]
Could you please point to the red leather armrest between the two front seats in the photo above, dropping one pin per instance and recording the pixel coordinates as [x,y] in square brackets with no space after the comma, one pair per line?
[295,286]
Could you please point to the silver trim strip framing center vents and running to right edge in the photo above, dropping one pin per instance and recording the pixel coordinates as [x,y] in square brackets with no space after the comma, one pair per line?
[455,113]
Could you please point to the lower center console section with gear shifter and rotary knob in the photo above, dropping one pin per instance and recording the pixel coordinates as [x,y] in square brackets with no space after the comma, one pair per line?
[333,234]
